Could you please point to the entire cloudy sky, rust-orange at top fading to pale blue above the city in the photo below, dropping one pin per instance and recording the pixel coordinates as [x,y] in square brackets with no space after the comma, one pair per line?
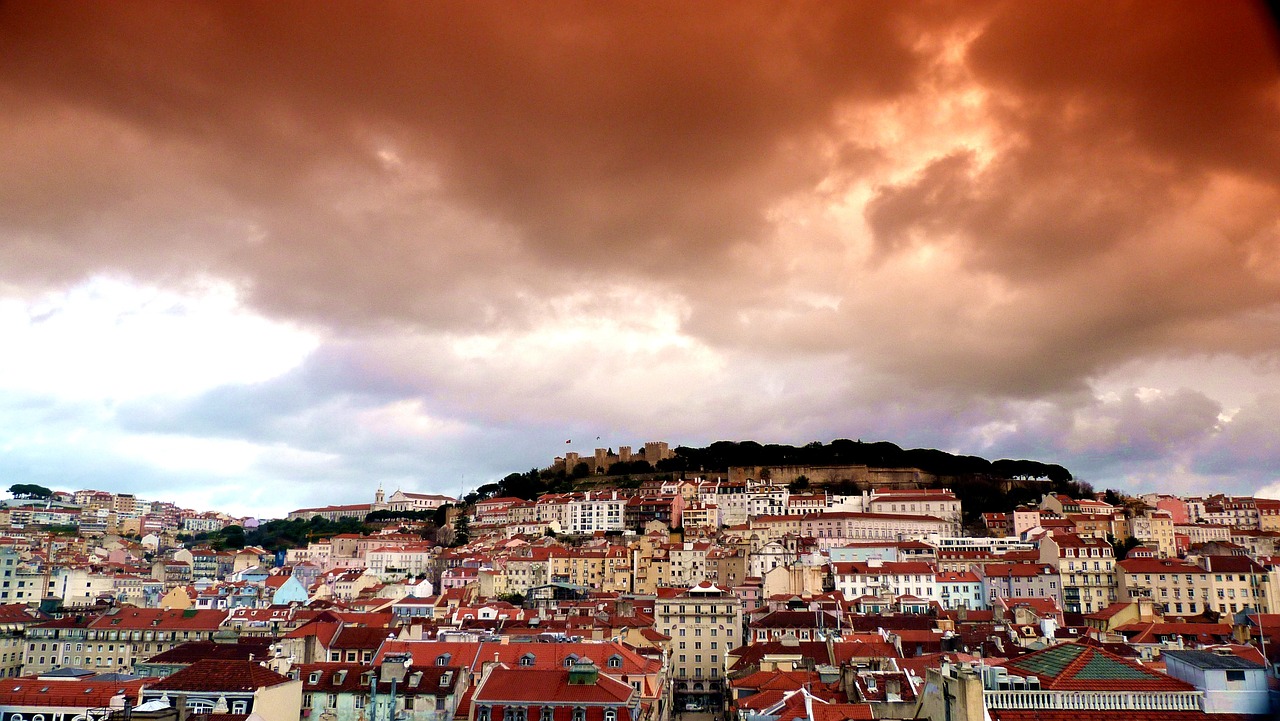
[258,257]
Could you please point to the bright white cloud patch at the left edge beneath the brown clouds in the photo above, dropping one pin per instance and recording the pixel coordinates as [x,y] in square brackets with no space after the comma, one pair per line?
[111,339]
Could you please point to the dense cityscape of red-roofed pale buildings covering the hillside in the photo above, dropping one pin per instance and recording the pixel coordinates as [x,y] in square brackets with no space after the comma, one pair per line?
[710,596]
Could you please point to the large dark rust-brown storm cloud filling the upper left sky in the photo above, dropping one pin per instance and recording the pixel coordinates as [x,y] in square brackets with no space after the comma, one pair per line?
[593,129]
